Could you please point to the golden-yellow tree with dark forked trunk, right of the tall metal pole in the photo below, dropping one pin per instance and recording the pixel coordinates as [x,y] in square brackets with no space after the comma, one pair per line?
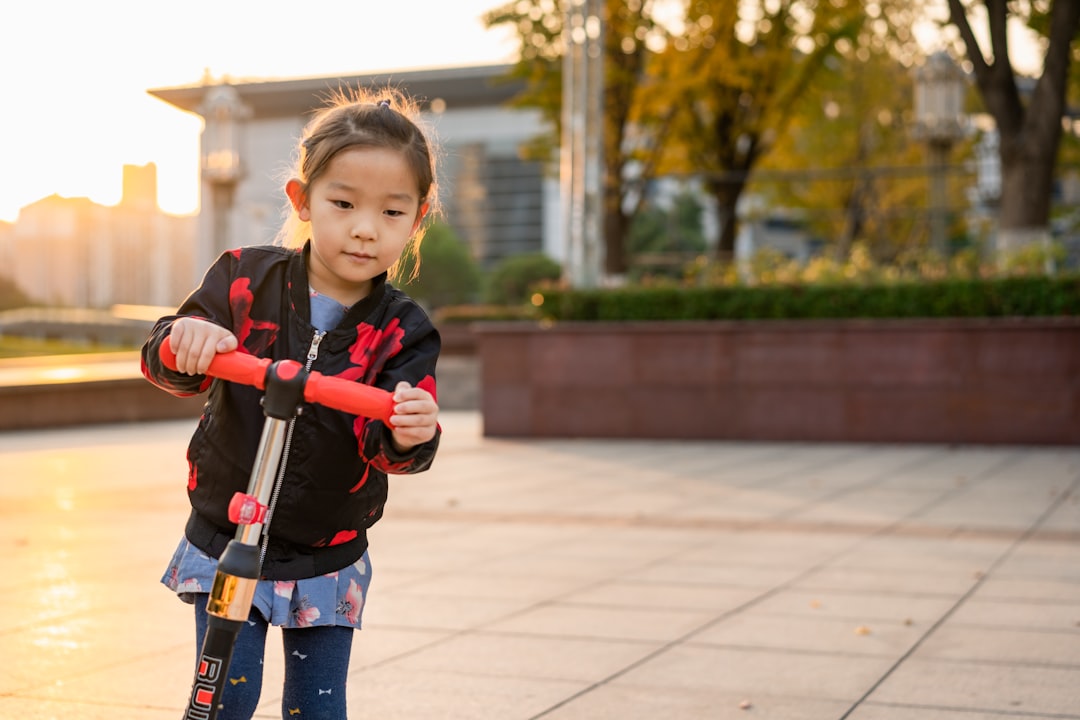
[730,84]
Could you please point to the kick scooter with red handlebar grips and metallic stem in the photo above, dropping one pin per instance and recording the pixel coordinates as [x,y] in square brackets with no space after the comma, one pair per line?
[287,386]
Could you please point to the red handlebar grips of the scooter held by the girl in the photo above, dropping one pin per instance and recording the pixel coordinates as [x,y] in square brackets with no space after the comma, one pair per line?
[336,393]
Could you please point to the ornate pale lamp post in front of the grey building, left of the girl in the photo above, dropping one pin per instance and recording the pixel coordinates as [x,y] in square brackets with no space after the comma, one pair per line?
[222,169]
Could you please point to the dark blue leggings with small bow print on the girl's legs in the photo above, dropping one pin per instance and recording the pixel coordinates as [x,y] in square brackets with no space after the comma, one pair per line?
[317,669]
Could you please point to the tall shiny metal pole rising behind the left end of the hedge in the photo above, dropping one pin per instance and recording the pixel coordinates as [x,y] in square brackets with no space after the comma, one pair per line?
[582,169]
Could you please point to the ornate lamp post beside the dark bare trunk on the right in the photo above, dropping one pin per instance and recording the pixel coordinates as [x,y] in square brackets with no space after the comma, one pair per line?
[940,123]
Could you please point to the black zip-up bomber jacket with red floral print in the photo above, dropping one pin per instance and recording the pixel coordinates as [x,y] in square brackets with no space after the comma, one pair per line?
[335,485]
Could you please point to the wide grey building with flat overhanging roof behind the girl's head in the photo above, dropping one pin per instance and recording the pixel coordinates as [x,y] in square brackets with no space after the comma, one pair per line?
[499,205]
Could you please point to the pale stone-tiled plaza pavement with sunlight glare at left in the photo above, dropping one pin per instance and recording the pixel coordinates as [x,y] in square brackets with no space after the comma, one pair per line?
[587,580]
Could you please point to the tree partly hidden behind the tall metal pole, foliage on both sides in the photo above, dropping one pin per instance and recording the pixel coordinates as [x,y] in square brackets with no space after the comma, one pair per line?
[629,30]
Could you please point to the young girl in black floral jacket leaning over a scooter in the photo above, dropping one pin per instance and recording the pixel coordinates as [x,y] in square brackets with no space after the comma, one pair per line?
[364,184]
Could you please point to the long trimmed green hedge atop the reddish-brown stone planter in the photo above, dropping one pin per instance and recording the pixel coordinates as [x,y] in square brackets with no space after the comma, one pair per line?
[1017,296]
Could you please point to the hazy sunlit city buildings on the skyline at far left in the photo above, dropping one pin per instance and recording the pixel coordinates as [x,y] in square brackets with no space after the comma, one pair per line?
[74,253]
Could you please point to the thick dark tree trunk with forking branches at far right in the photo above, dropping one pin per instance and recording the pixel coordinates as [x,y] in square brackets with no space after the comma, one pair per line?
[1030,133]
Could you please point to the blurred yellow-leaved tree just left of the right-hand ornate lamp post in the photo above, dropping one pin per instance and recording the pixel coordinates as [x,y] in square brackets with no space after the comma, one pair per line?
[848,164]
